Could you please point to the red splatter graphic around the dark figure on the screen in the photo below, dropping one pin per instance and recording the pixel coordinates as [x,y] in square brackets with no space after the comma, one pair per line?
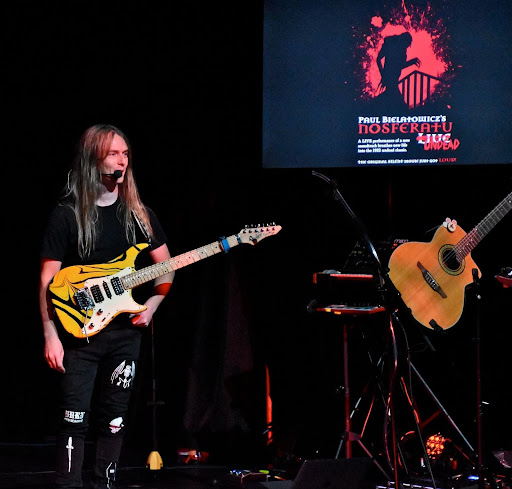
[409,41]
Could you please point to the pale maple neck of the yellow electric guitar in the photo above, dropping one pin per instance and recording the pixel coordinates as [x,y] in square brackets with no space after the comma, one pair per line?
[147,274]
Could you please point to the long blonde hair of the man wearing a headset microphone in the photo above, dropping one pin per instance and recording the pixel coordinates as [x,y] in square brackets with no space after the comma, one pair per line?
[84,187]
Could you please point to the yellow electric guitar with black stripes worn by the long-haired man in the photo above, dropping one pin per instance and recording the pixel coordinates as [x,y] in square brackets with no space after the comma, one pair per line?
[87,297]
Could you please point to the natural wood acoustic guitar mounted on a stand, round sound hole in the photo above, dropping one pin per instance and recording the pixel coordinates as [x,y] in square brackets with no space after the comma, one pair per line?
[432,277]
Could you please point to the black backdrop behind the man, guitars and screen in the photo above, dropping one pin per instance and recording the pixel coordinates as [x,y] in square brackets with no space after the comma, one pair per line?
[185,84]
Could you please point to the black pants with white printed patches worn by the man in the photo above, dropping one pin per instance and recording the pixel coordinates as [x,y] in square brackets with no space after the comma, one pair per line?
[106,366]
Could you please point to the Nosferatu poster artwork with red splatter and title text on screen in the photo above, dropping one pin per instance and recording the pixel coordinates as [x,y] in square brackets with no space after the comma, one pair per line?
[405,72]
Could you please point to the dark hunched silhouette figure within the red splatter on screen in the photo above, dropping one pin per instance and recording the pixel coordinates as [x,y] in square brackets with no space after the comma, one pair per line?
[391,60]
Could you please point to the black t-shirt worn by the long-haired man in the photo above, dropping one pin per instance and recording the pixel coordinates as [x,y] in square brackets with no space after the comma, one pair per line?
[60,241]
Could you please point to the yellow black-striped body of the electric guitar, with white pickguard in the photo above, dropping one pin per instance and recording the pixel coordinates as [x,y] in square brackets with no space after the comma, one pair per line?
[87,297]
